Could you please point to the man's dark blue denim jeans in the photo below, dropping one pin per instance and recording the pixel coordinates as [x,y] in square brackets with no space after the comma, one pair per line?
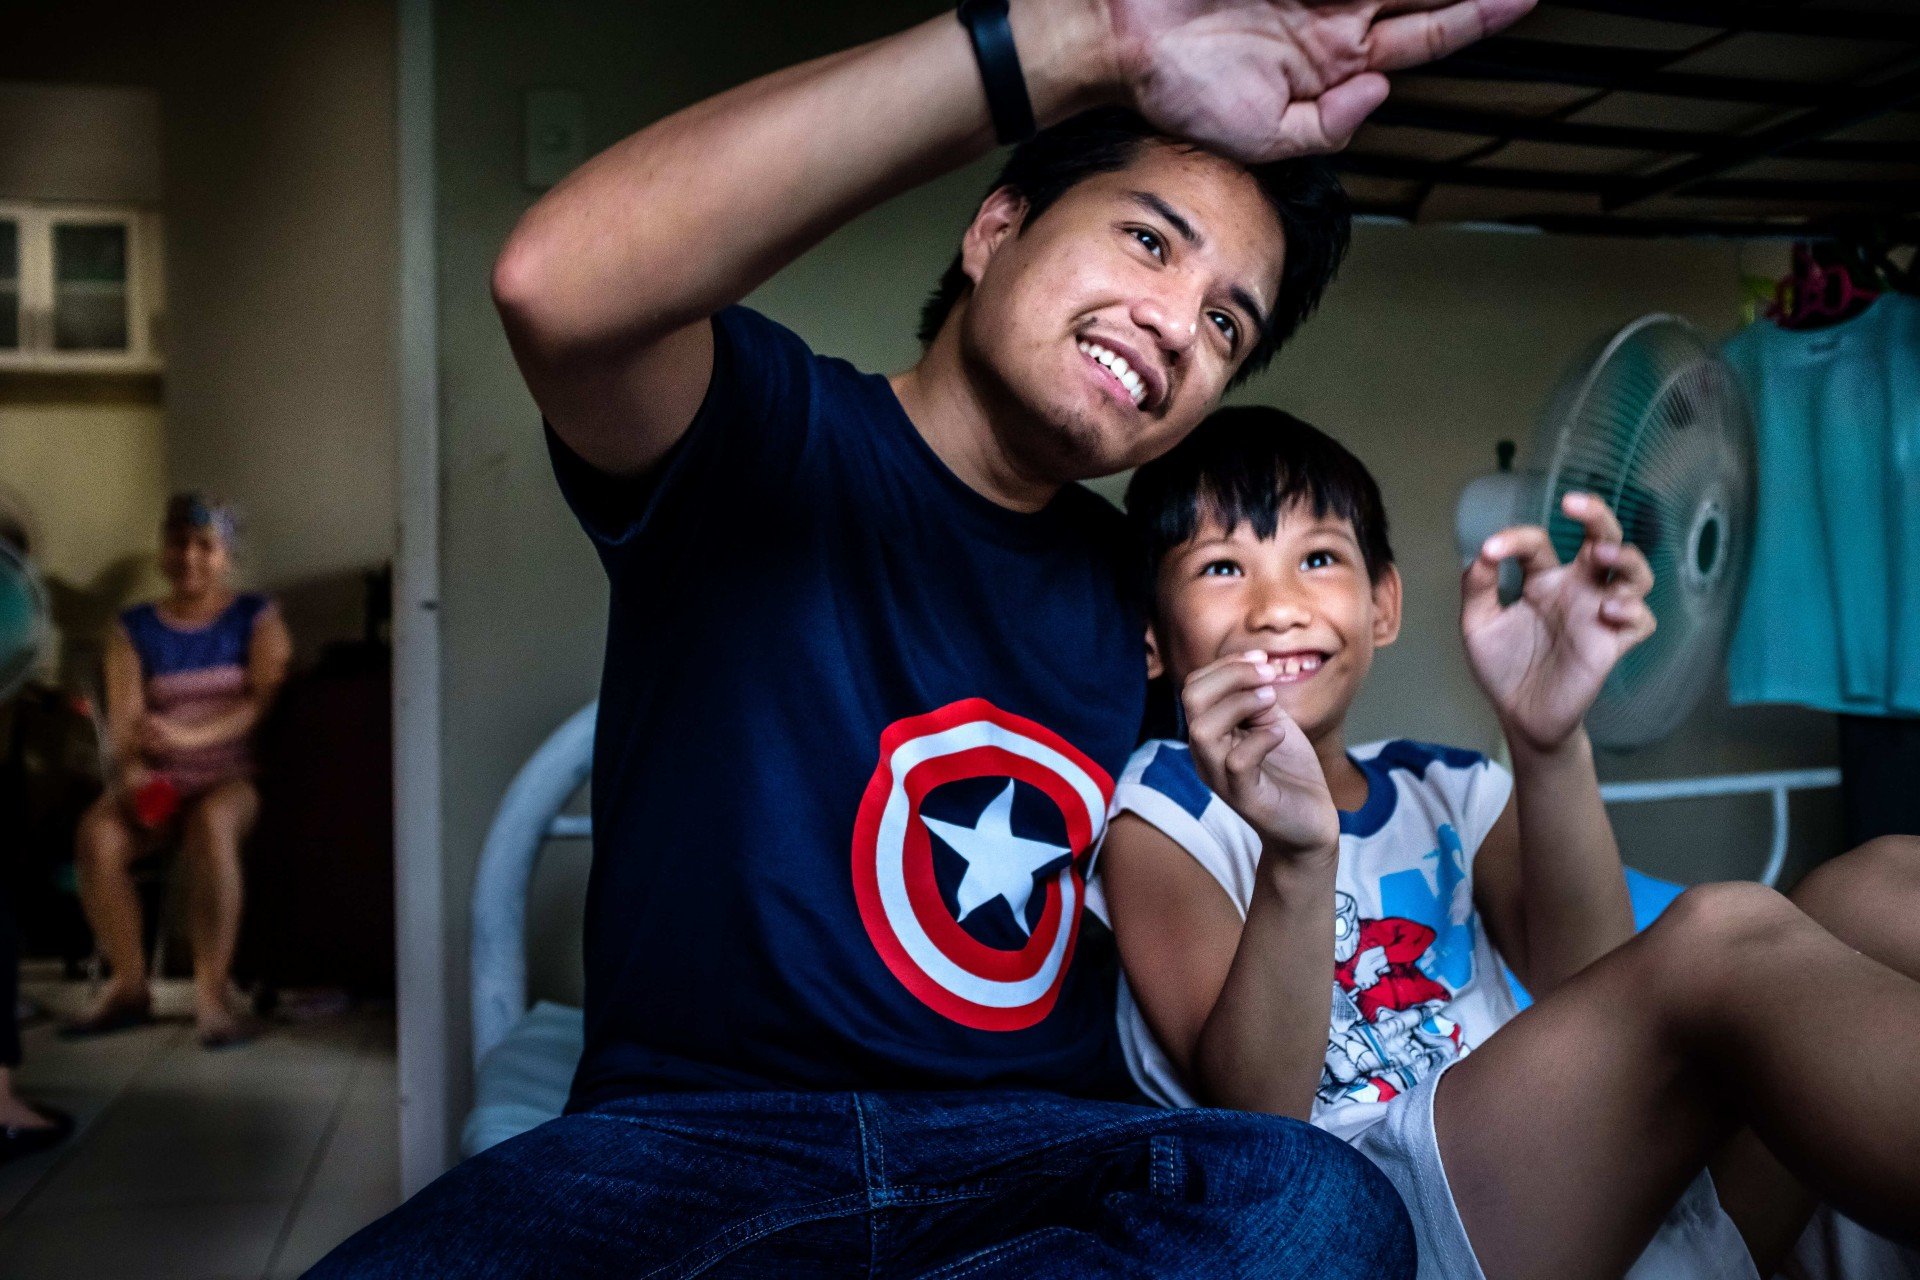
[976,1185]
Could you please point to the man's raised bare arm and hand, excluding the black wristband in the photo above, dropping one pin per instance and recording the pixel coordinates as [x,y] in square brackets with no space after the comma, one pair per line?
[608,283]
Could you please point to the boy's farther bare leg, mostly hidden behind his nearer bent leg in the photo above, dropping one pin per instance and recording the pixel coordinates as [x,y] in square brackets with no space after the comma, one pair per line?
[1871,901]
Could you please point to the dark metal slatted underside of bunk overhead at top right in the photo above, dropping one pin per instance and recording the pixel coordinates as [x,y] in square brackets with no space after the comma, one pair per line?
[1704,118]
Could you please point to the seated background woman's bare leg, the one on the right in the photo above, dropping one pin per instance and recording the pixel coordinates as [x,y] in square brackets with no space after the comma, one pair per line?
[216,830]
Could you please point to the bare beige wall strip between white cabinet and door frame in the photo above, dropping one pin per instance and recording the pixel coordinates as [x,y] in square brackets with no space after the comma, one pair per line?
[281,256]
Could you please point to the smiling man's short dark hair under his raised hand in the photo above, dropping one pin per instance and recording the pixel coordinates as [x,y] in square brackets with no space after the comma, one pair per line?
[1305,195]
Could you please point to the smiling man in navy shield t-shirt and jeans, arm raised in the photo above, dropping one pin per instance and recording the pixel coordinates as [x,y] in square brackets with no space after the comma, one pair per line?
[873,667]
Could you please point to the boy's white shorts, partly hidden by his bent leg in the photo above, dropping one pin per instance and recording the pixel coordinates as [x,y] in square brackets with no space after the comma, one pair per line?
[1696,1243]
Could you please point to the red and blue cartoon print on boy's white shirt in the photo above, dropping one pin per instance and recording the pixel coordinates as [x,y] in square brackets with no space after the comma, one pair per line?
[1395,978]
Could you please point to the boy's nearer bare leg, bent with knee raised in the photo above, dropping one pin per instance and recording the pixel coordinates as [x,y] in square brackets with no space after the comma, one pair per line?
[1572,1133]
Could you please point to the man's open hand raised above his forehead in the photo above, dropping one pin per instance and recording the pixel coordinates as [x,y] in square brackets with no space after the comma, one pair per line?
[1266,80]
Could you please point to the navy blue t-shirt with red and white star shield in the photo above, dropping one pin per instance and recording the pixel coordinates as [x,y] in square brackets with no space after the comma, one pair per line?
[857,736]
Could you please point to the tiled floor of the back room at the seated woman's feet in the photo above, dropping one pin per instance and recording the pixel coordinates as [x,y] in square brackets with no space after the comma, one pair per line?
[239,1164]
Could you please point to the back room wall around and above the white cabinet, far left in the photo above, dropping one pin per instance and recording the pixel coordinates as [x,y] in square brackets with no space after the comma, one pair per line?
[272,158]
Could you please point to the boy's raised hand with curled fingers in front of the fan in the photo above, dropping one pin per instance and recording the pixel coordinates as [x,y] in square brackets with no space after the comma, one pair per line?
[1545,657]
